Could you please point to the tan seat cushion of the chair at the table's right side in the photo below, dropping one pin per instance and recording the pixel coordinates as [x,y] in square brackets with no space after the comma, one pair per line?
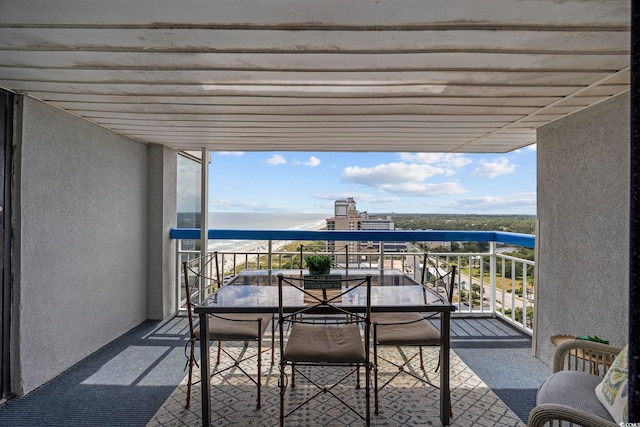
[393,329]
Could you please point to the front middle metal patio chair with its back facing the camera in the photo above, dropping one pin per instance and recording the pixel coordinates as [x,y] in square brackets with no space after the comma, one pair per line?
[343,343]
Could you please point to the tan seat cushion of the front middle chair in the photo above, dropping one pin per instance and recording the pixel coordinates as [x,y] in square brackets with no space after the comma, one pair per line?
[325,344]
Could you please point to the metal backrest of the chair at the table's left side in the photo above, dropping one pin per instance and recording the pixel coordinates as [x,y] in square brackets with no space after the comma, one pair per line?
[201,278]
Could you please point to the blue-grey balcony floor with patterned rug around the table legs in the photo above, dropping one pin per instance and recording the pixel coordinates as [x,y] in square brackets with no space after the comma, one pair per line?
[135,381]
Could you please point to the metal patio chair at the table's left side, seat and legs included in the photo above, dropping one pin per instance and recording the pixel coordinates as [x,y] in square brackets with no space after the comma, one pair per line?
[202,278]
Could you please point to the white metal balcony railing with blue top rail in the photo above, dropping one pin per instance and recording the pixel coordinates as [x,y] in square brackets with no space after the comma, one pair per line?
[486,283]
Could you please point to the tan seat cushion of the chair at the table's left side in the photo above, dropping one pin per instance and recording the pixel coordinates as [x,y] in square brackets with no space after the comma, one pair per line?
[235,327]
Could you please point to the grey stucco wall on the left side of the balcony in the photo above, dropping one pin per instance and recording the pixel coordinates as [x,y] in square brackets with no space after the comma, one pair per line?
[80,240]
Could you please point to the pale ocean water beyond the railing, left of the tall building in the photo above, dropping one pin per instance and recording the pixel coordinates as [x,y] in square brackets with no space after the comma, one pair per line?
[260,221]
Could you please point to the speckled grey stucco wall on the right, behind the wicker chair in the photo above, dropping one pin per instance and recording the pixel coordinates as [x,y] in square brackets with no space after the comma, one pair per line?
[583,212]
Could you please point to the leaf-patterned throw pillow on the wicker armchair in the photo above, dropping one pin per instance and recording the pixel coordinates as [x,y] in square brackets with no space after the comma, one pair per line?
[613,390]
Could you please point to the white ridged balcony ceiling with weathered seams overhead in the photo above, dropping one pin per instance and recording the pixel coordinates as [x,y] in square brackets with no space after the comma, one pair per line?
[474,76]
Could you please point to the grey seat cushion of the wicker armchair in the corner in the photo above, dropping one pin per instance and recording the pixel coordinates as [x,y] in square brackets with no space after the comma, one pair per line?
[574,389]
